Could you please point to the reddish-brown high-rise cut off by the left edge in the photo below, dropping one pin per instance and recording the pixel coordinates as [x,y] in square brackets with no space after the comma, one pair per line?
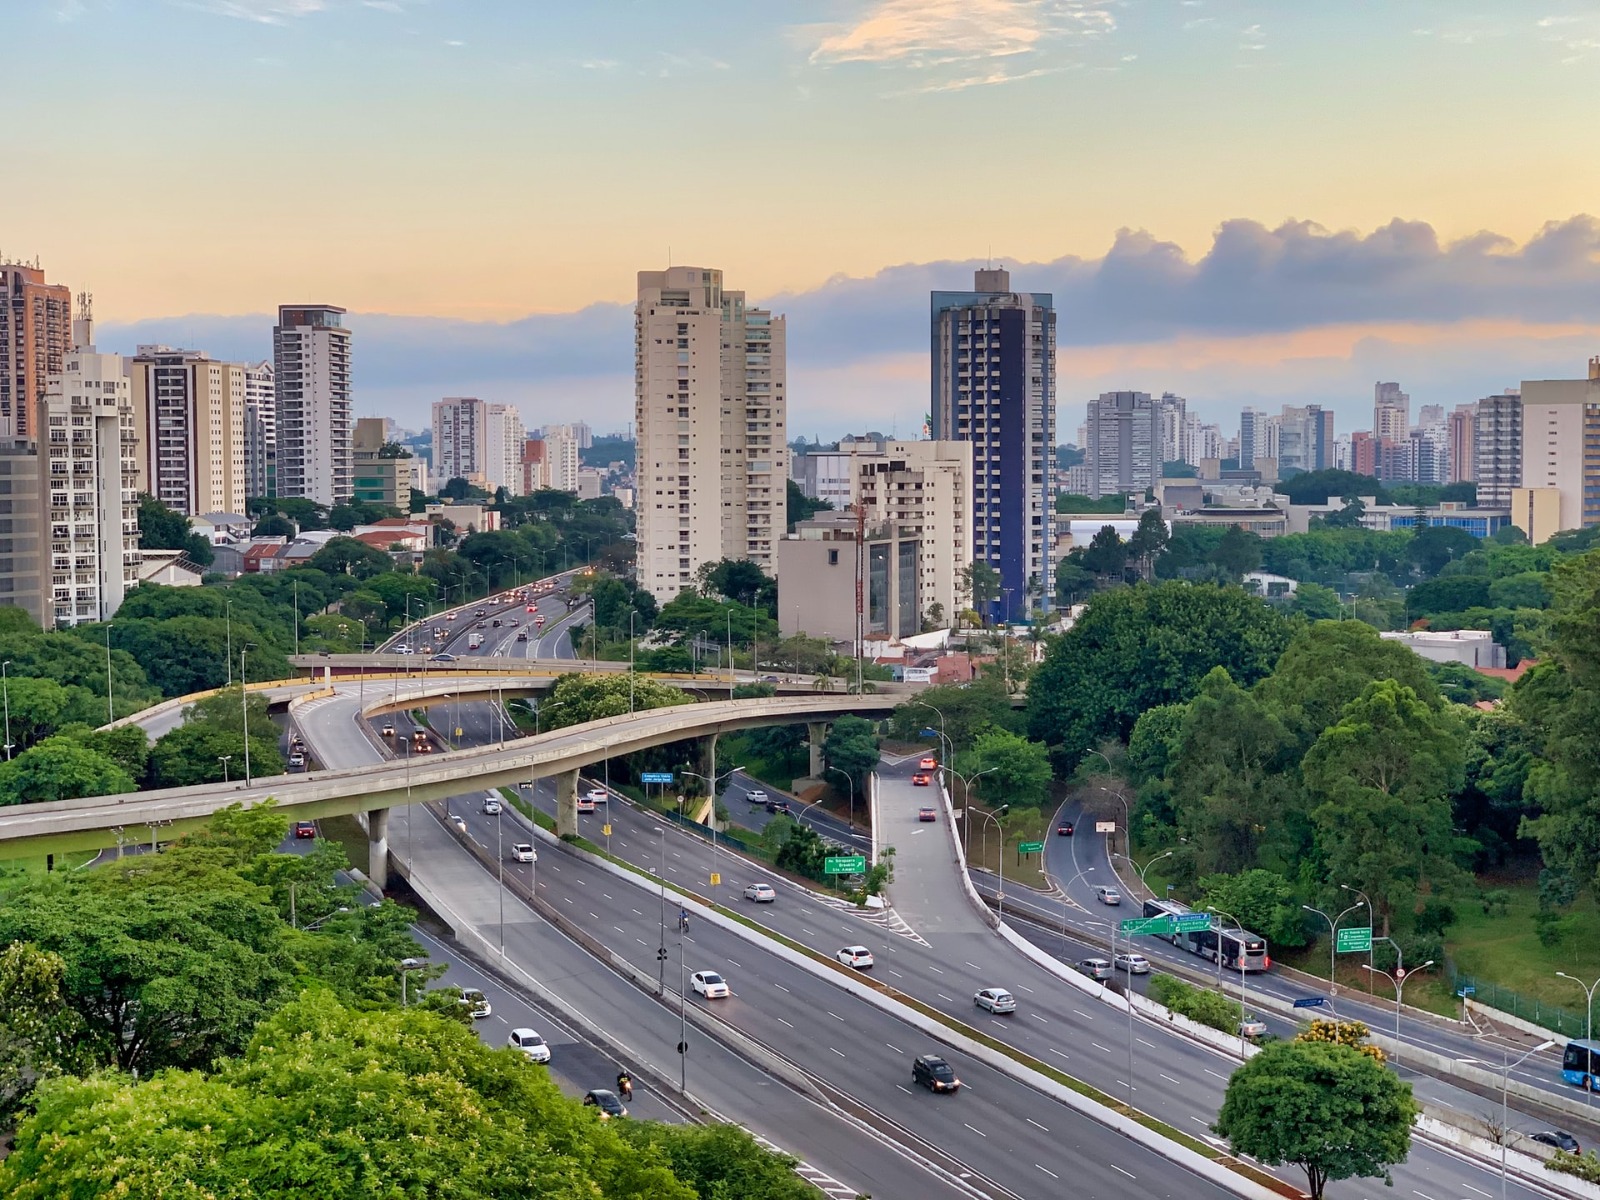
[36,335]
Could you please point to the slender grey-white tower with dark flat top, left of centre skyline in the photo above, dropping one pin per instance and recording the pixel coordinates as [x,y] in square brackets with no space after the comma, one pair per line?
[311,362]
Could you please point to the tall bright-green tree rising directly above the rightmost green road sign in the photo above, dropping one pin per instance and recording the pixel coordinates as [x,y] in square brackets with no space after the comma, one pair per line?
[1382,780]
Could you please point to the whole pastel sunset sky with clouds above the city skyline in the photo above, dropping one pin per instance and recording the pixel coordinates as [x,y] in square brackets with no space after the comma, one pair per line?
[1242,202]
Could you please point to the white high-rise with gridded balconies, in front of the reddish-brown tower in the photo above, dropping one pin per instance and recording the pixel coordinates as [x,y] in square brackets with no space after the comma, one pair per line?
[90,484]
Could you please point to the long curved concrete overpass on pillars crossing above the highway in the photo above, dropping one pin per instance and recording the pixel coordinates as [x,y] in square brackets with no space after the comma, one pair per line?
[97,823]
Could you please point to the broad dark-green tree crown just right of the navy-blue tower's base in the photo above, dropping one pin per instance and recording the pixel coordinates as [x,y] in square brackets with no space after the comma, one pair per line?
[1146,646]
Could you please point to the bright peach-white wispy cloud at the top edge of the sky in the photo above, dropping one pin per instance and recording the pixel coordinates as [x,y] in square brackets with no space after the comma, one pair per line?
[937,33]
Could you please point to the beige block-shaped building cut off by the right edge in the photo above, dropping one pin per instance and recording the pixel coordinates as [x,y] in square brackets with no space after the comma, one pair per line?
[1561,449]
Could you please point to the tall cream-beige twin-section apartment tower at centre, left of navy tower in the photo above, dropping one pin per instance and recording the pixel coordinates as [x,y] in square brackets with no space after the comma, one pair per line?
[711,410]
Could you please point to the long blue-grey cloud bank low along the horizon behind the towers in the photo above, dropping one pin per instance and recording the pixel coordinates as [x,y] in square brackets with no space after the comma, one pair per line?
[1281,314]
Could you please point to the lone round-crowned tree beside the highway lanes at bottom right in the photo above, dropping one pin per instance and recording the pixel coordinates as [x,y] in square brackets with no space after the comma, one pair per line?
[1329,1110]
